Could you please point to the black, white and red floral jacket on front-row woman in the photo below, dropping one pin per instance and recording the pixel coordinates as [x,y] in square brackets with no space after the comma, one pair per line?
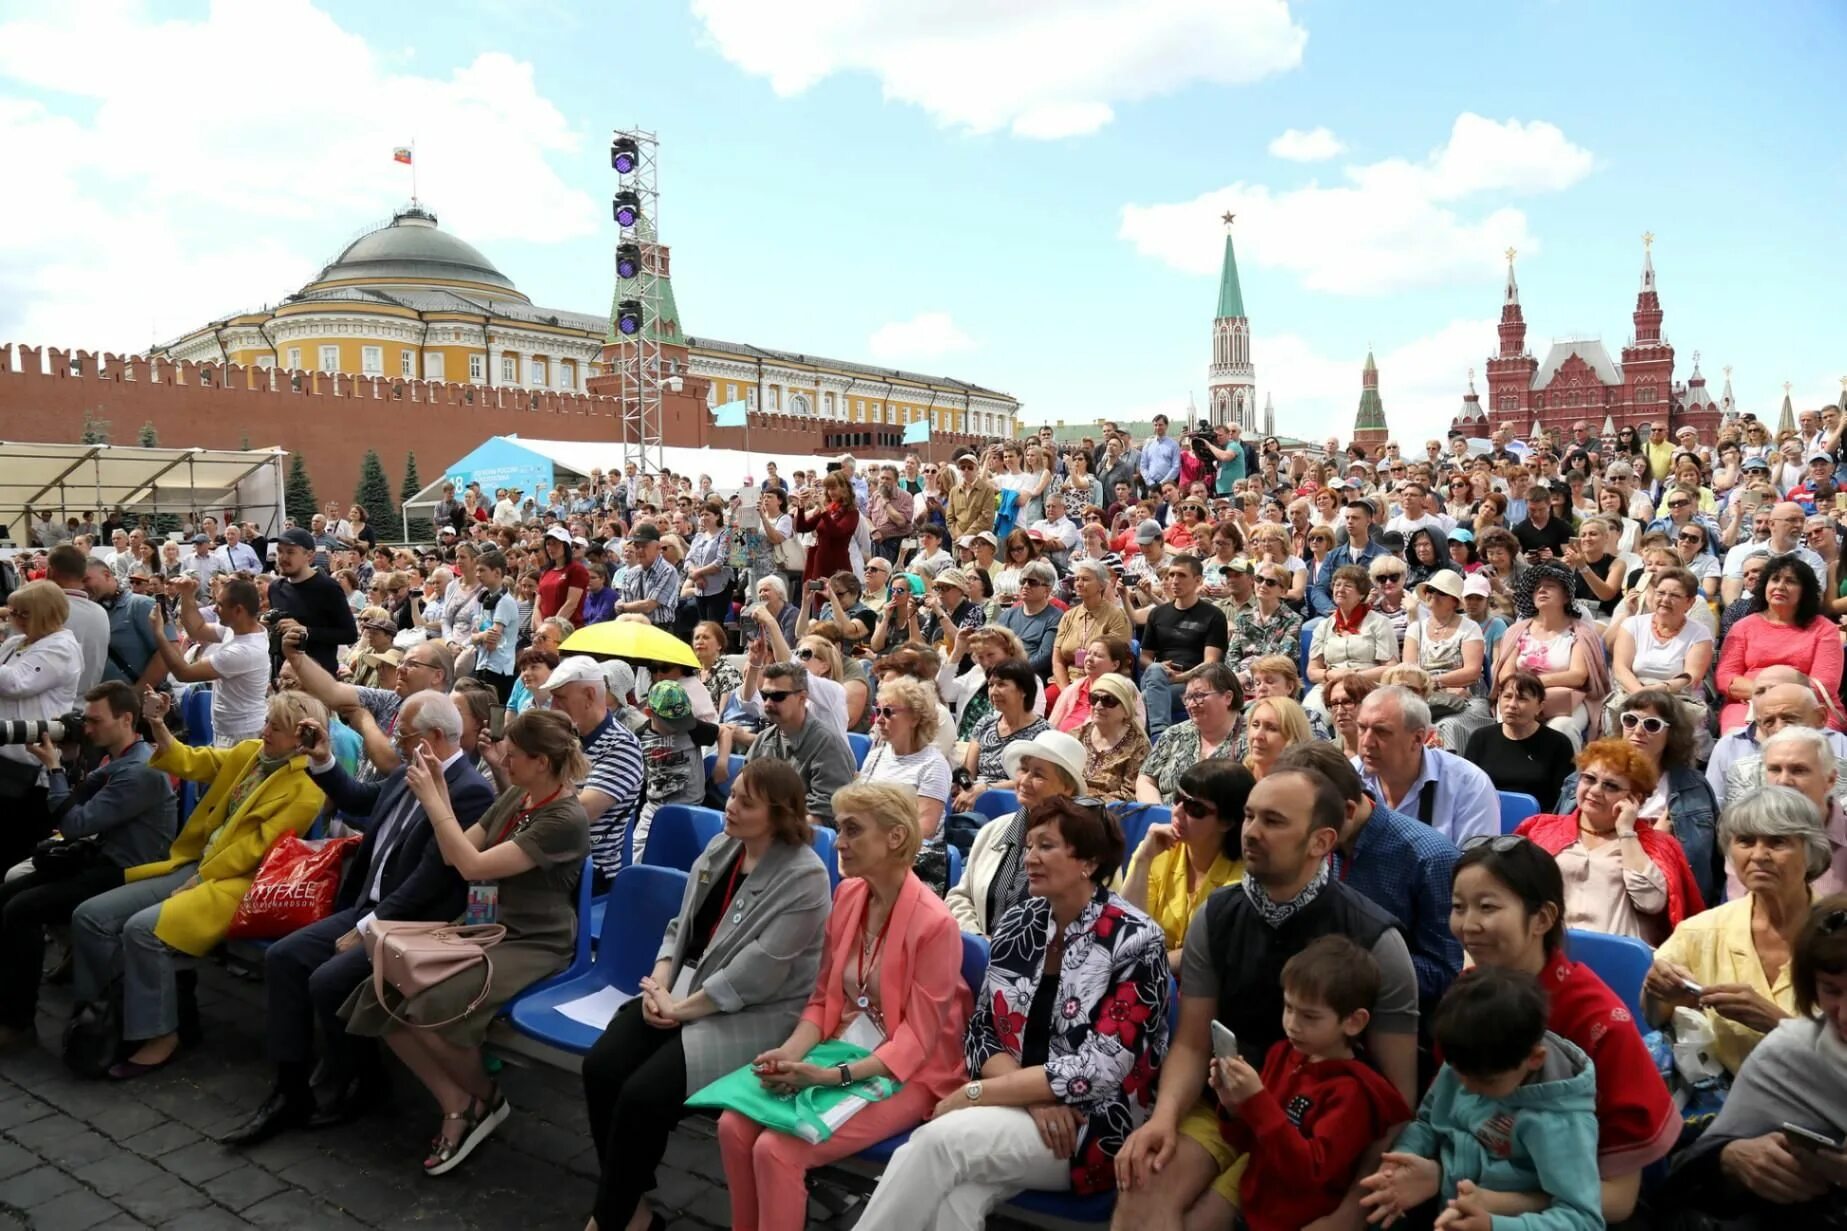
[1109,1030]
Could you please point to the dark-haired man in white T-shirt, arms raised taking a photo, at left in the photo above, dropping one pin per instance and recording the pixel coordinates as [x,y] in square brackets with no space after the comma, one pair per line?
[235,653]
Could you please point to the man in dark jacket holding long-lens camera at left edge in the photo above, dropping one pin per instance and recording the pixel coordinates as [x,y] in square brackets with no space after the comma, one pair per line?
[115,818]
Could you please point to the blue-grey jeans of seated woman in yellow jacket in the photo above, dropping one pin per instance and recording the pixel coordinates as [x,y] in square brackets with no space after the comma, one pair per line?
[114,932]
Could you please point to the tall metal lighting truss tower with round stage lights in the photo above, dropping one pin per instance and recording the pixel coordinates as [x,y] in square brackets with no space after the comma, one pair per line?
[638,356]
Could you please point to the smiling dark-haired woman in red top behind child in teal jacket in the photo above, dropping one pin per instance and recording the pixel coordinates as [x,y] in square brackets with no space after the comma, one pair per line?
[1508,910]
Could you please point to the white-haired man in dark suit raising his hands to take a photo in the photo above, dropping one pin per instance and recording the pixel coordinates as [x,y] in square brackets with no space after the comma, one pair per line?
[398,873]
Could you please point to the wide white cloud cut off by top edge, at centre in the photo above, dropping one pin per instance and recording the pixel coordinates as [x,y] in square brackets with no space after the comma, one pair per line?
[1039,67]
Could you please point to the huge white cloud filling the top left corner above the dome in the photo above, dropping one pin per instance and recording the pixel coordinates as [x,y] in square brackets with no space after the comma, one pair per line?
[187,167]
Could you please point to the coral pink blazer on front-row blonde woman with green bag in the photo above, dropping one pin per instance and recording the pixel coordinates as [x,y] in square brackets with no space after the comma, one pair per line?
[923,995]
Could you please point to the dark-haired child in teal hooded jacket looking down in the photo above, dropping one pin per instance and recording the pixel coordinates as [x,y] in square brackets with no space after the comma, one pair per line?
[1508,1134]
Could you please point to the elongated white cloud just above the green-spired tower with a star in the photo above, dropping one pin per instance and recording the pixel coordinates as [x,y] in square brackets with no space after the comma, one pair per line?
[1392,225]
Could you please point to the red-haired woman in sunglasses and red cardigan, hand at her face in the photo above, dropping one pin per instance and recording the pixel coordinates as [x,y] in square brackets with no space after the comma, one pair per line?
[1626,877]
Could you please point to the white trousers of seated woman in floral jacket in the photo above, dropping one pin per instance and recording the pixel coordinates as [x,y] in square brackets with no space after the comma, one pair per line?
[958,1169]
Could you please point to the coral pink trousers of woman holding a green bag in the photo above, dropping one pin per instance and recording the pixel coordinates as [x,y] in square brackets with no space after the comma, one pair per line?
[767,1171]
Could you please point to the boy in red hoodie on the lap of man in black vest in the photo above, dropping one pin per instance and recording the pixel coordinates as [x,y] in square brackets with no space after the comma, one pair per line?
[1316,1108]
